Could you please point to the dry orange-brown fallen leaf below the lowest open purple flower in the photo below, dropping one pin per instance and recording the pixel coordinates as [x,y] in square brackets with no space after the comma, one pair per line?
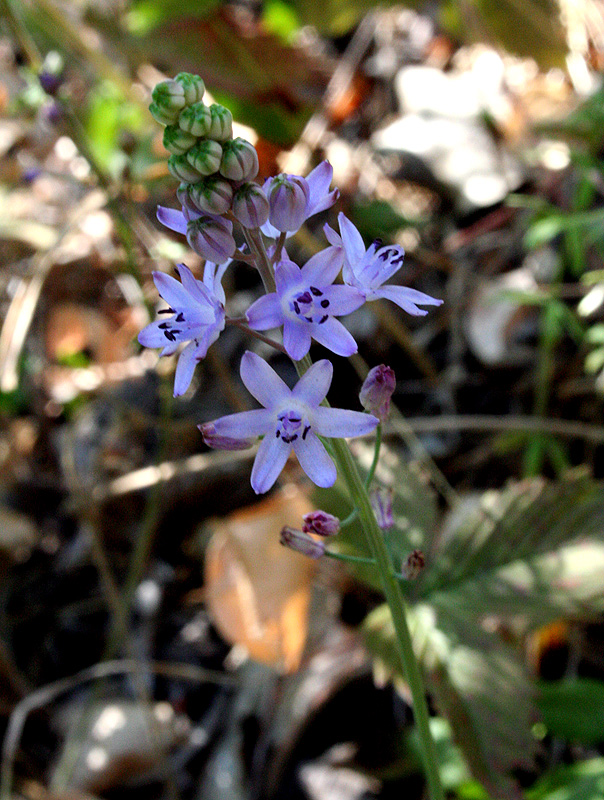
[258,592]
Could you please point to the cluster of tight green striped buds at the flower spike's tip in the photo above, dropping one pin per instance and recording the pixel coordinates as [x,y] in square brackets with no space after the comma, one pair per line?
[209,163]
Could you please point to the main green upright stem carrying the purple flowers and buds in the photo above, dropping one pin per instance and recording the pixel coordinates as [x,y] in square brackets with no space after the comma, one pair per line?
[394,597]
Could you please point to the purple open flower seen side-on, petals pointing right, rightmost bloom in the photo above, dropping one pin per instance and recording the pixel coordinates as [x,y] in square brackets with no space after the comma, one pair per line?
[368,269]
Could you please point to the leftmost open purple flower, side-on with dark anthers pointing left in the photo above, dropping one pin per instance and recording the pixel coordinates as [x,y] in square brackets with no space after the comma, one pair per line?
[197,316]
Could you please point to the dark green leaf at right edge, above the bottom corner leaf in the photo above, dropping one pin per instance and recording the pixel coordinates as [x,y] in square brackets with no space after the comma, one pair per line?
[573,709]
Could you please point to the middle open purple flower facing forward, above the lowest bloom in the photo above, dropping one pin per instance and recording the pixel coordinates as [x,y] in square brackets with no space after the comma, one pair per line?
[307,304]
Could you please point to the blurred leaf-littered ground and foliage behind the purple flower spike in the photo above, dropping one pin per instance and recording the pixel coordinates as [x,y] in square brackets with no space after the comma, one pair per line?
[155,639]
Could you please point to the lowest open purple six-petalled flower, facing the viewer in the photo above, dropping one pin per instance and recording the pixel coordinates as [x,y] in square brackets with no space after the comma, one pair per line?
[290,419]
